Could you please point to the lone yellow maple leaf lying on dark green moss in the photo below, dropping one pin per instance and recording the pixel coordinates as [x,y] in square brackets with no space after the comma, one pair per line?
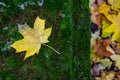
[33,38]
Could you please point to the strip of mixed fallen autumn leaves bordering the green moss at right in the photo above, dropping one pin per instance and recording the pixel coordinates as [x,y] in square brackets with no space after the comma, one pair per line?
[105,40]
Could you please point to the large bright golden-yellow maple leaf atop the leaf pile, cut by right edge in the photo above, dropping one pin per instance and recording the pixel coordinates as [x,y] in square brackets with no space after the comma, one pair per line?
[115,20]
